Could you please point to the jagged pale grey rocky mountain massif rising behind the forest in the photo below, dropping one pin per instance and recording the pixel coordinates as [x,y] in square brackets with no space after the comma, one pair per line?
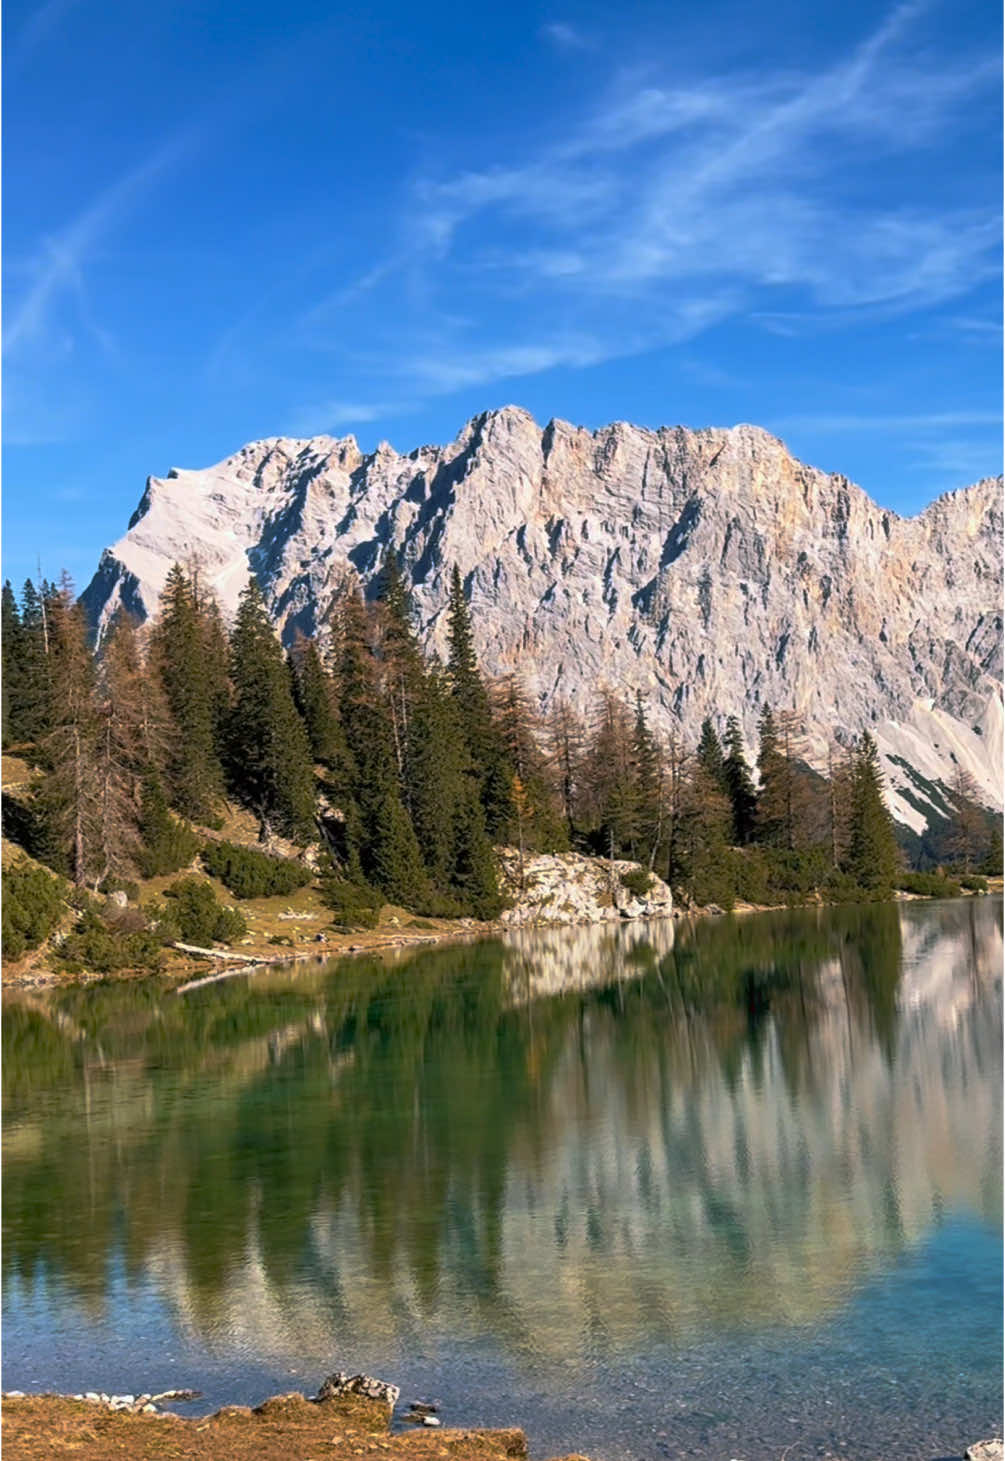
[709,569]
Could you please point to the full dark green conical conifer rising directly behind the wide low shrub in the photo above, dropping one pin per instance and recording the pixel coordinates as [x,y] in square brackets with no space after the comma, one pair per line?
[270,753]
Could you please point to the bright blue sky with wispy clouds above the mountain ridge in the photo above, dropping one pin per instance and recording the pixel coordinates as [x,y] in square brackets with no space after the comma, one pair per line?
[227,223]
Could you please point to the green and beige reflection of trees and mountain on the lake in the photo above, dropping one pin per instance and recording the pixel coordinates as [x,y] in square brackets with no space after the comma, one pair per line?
[576,1143]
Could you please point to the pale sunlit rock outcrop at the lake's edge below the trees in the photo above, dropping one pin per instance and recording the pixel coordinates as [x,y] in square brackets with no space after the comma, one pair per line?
[568,888]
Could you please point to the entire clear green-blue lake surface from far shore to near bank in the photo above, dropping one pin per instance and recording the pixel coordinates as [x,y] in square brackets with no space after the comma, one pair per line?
[648,1196]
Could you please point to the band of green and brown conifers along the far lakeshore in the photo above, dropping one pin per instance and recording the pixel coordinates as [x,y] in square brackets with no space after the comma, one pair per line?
[388,778]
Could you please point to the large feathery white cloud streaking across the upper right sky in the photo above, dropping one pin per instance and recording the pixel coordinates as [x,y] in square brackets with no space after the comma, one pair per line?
[674,207]
